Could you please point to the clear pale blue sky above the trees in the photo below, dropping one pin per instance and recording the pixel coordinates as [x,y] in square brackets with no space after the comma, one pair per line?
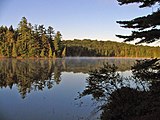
[93,19]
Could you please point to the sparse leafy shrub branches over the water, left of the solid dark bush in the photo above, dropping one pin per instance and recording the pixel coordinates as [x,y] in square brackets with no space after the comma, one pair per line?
[99,81]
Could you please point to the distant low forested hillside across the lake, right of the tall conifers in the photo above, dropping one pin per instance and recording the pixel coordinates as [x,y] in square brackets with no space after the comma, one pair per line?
[88,47]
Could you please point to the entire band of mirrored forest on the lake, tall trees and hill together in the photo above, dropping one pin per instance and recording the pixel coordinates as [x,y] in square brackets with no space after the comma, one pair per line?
[37,74]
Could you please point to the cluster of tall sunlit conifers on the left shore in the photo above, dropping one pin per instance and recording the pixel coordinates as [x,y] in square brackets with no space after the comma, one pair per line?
[30,41]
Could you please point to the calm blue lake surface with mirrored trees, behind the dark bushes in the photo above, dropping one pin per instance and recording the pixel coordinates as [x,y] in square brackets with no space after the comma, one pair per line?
[46,89]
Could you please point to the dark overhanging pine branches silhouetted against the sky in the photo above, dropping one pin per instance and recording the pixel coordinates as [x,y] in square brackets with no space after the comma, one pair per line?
[147,26]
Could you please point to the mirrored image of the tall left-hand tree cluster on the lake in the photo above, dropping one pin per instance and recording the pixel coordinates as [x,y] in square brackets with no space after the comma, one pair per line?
[29,75]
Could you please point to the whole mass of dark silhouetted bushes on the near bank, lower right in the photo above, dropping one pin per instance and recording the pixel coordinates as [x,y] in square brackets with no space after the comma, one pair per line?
[121,101]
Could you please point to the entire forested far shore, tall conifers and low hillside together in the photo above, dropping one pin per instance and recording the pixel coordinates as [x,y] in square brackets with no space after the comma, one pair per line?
[28,41]
